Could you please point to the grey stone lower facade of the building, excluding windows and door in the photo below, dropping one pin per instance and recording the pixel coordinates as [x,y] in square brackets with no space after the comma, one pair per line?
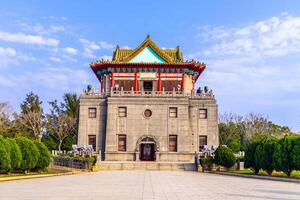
[187,126]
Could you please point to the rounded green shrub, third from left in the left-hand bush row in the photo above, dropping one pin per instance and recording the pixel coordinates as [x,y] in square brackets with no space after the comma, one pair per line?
[30,153]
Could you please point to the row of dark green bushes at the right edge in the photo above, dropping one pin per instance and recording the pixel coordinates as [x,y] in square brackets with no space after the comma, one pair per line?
[269,153]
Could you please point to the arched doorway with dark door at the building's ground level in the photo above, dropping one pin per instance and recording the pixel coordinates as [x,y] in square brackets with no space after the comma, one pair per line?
[147,147]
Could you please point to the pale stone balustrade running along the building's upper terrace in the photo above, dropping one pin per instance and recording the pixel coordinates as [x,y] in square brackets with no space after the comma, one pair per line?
[175,93]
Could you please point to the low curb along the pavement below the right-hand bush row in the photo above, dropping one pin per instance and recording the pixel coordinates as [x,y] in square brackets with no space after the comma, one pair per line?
[282,179]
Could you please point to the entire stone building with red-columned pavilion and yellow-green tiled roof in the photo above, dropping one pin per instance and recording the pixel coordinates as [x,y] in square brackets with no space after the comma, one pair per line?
[147,108]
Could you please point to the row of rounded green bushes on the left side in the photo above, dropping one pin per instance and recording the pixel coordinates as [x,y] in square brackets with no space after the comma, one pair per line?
[22,154]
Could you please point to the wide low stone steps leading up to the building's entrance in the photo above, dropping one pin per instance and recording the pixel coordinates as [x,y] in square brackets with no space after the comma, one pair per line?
[170,166]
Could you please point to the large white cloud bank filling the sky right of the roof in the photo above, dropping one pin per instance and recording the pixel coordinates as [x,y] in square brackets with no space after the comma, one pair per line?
[255,67]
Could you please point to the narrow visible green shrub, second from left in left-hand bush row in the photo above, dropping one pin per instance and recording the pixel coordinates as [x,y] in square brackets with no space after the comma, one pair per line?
[15,154]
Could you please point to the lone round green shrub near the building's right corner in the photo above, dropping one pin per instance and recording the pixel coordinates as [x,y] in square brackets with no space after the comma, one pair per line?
[224,157]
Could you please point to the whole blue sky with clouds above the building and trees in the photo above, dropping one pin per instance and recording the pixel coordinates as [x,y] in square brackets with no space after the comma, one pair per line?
[251,48]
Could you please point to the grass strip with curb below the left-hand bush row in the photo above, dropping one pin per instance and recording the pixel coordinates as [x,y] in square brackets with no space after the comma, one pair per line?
[31,174]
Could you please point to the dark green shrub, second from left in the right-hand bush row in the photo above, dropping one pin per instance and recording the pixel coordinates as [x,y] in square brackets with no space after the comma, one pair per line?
[263,156]
